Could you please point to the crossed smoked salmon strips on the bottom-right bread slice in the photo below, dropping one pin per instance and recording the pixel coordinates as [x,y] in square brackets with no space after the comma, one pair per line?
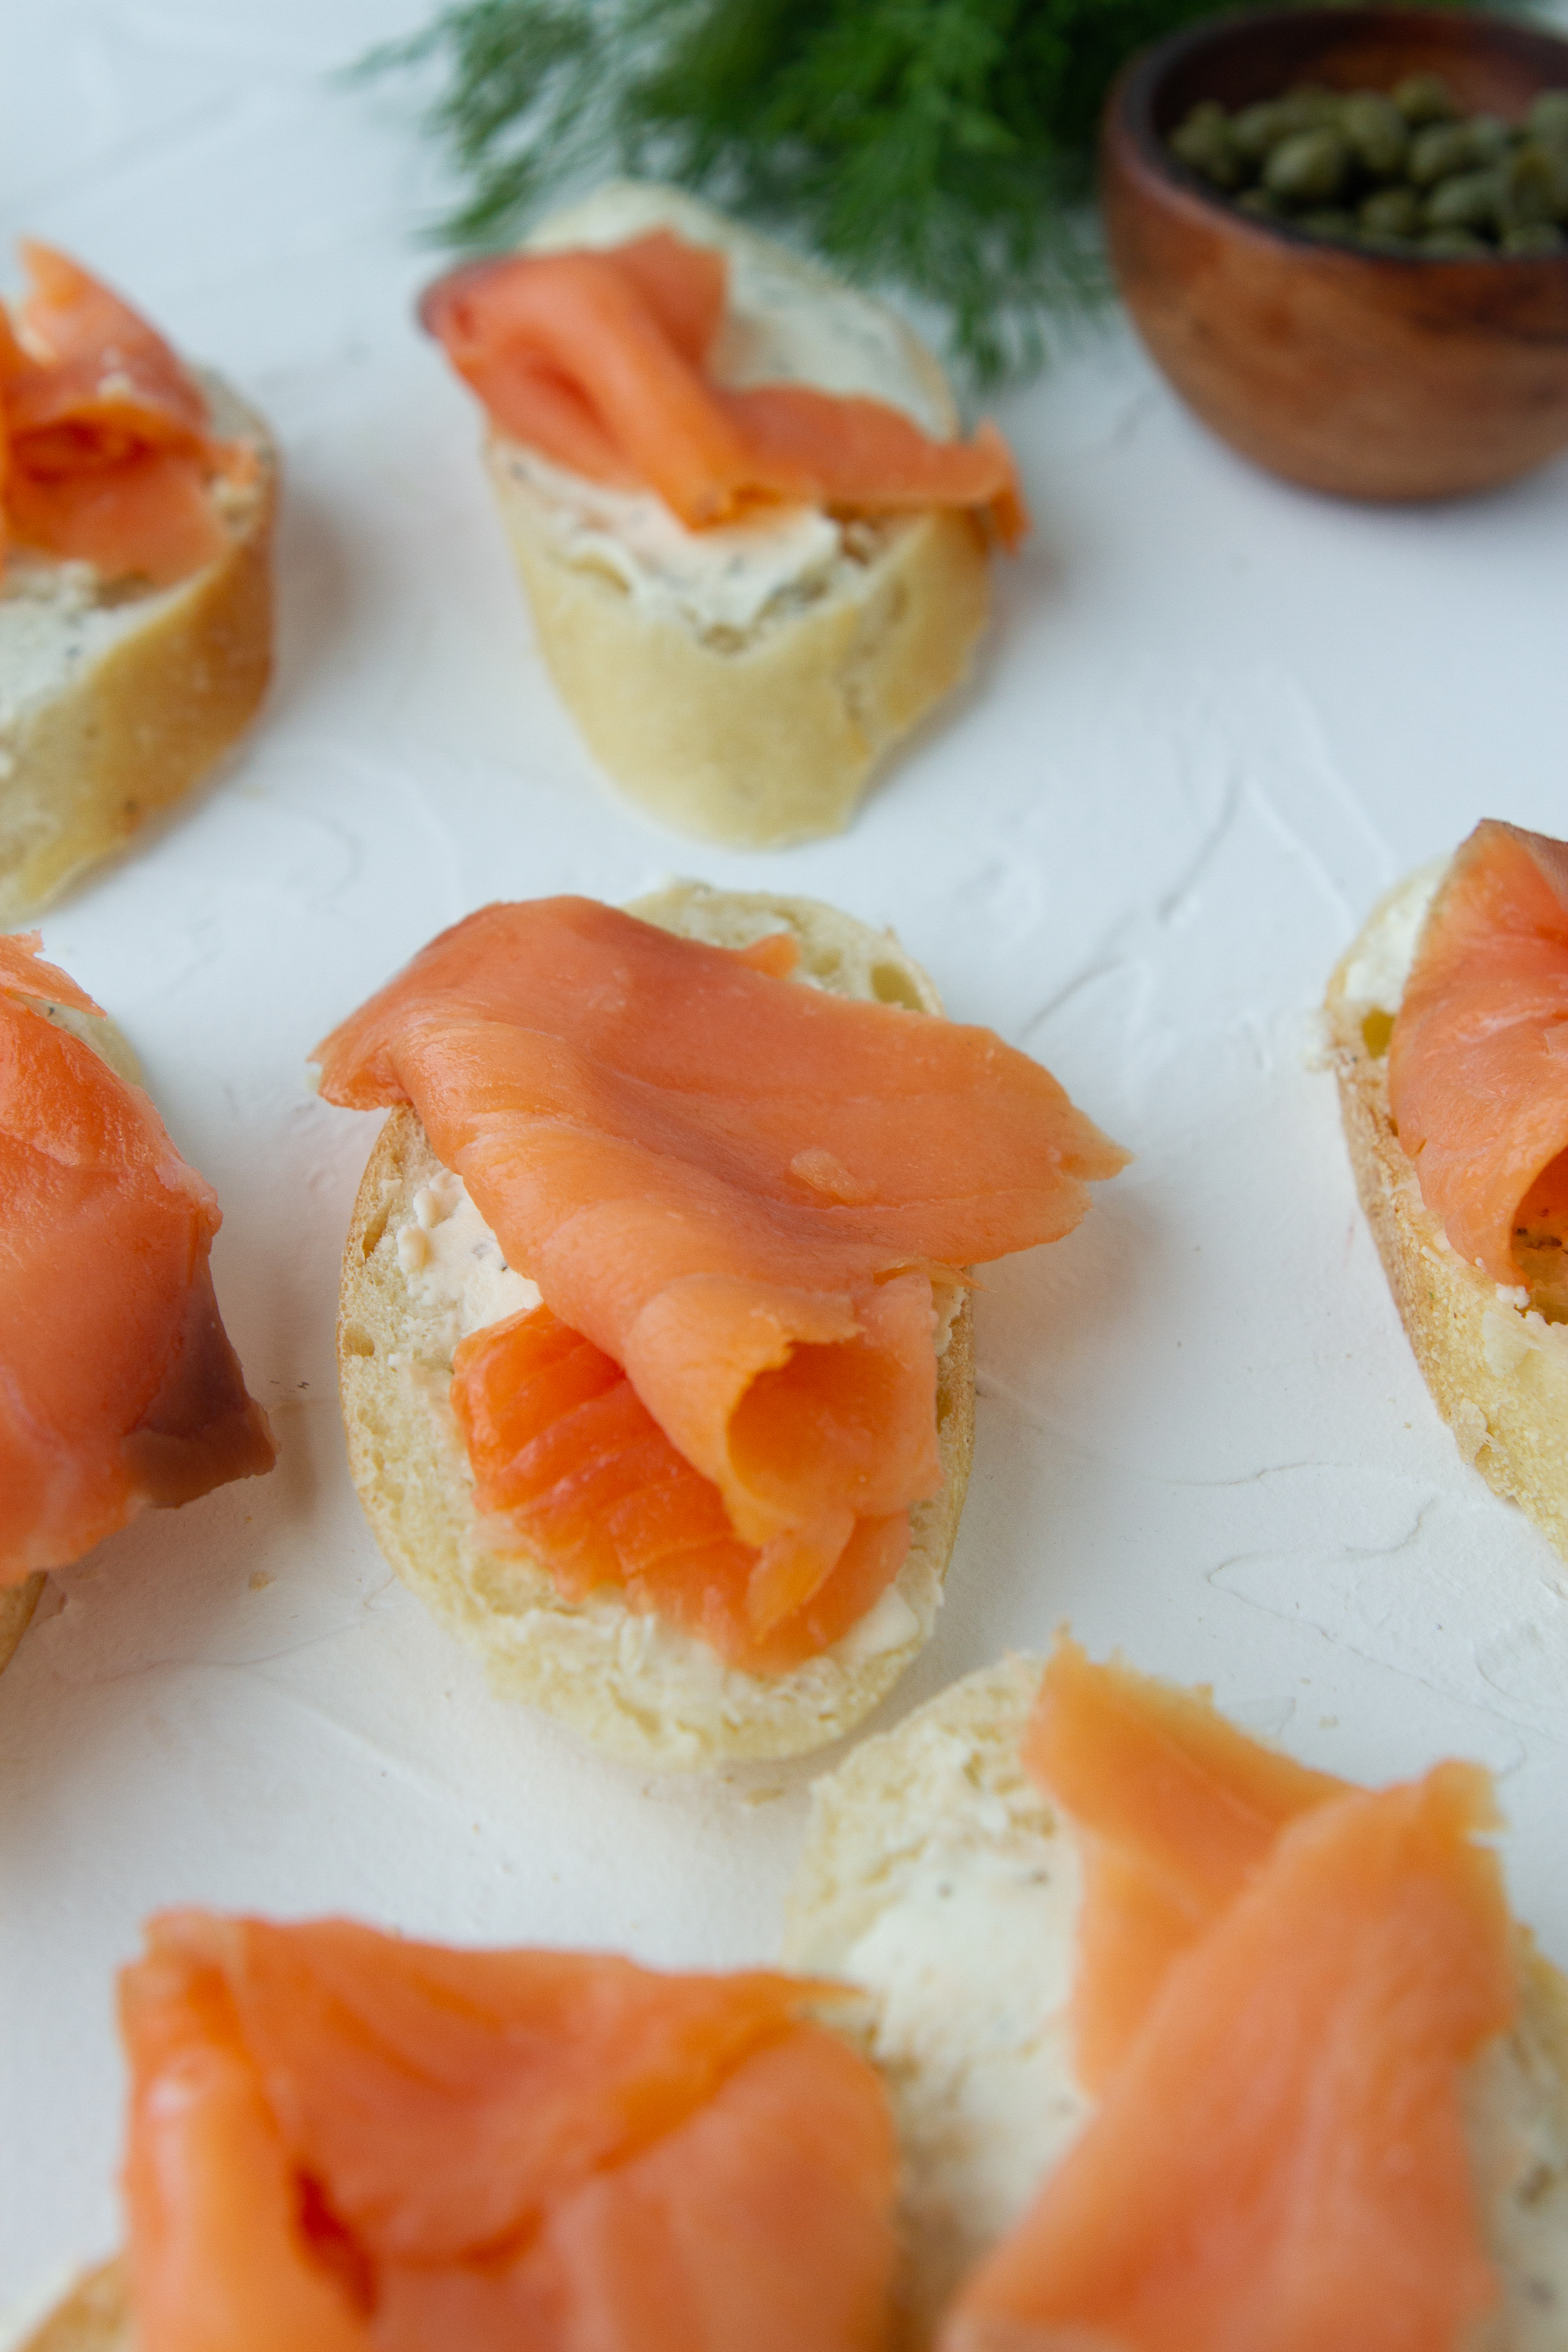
[1280,2153]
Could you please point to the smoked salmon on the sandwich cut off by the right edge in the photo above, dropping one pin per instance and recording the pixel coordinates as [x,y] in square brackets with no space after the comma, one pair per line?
[1480,1060]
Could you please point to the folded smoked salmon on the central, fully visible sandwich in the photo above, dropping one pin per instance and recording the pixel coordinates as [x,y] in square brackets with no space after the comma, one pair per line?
[742,1196]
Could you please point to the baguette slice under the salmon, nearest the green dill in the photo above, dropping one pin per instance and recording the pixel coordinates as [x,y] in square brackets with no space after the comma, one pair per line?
[751,730]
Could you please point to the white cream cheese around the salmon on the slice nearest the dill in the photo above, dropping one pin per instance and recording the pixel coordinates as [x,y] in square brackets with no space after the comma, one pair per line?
[789,323]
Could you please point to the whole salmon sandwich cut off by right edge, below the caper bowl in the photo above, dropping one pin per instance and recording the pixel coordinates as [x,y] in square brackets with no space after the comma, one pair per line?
[1449,1031]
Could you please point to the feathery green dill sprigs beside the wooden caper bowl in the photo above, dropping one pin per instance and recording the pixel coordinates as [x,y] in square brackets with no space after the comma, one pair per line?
[934,145]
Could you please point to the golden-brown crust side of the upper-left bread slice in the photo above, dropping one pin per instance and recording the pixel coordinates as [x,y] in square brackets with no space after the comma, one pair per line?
[138,728]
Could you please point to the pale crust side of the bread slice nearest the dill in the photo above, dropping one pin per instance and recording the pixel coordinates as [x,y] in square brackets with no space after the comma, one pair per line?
[770,740]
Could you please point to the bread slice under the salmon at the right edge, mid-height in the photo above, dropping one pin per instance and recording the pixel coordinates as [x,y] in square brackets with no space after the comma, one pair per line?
[1496,1370]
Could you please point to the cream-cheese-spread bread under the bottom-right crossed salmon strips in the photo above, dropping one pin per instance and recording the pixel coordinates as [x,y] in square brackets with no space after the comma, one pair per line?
[939,1878]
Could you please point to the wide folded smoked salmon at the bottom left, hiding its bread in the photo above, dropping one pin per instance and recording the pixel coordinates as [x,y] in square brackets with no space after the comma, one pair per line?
[351,2144]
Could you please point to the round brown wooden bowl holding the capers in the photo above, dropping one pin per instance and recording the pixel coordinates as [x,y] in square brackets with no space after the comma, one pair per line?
[1369,375]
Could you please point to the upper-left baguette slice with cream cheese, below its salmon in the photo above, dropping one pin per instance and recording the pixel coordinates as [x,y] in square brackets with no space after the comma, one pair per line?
[116,702]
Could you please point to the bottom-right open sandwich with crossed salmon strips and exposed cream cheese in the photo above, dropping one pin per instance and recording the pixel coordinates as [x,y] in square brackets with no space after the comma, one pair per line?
[1191,2050]
